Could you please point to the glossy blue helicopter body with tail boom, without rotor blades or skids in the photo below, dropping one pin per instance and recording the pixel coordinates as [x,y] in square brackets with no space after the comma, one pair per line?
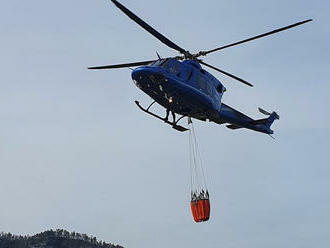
[187,89]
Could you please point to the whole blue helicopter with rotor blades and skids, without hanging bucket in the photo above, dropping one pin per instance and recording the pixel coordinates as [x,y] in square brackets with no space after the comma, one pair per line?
[183,87]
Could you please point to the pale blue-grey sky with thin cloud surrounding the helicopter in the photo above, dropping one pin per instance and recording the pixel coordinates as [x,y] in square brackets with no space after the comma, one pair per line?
[76,153]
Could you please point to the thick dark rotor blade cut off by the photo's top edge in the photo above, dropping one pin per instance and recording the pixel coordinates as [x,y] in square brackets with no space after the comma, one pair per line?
[148,28]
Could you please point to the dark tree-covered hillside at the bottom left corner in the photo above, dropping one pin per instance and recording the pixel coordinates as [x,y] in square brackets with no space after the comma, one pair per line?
[53,239]
